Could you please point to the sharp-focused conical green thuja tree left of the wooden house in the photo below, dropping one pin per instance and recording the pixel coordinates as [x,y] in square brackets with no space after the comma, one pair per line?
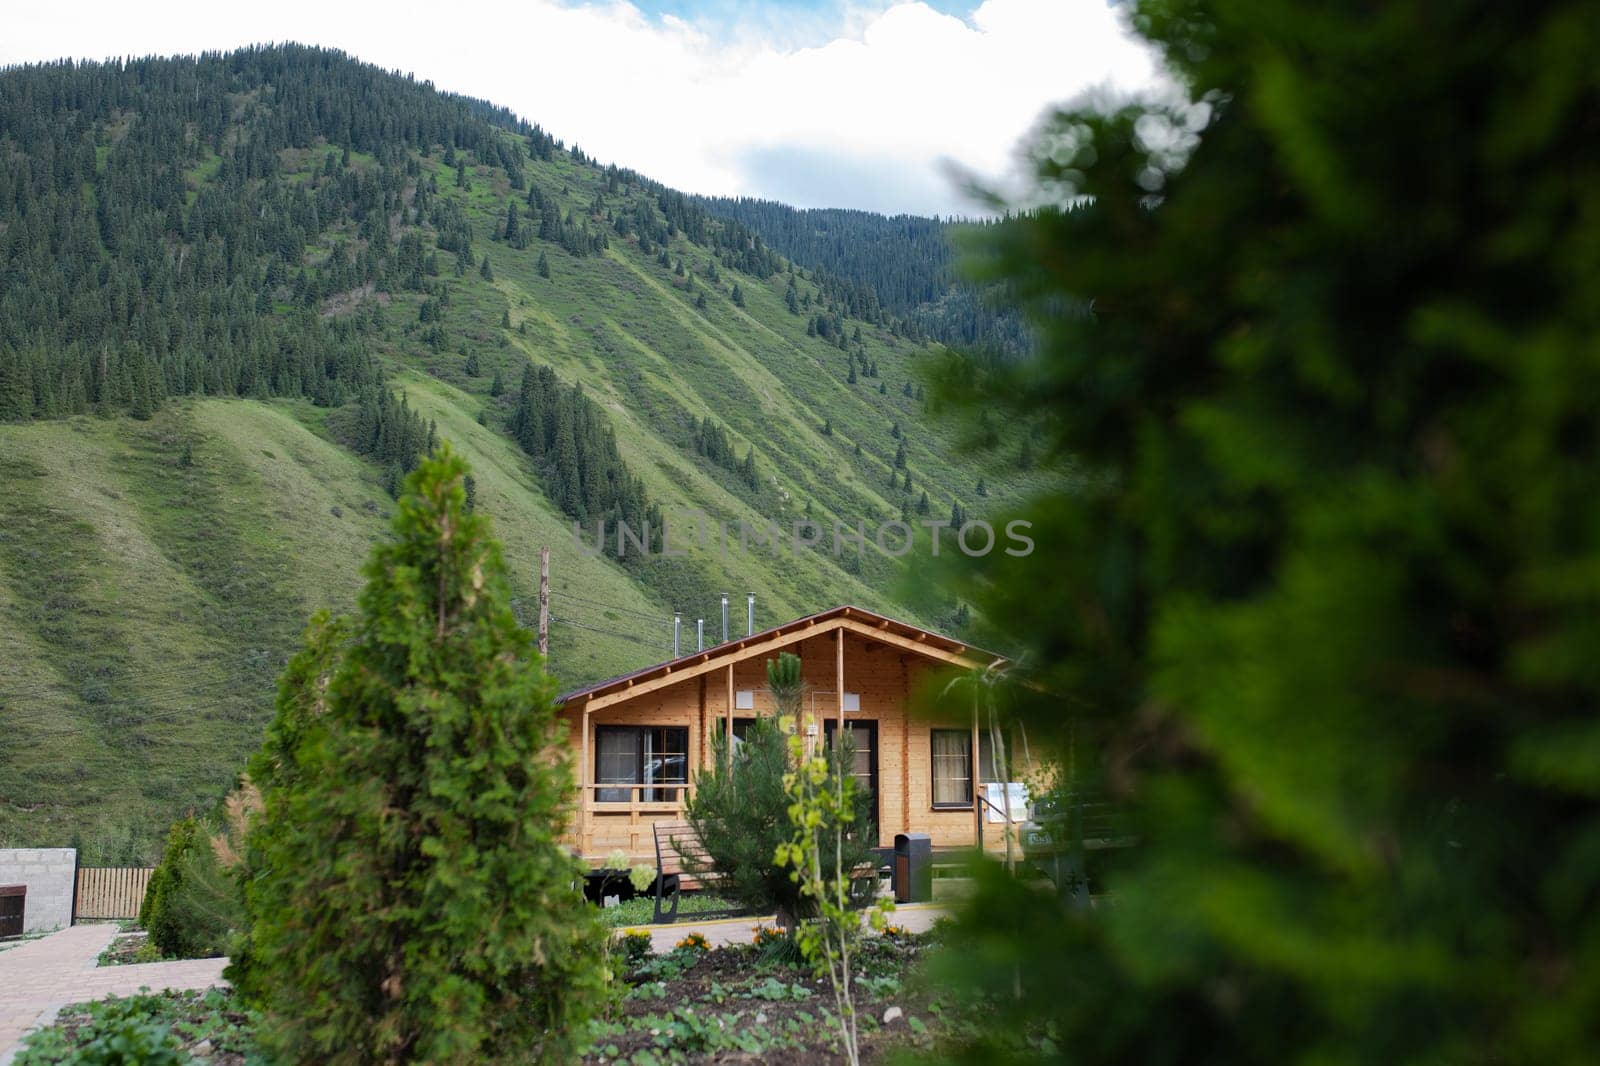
[410,896]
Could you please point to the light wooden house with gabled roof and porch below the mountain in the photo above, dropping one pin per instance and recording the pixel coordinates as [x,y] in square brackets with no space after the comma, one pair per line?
[642,739]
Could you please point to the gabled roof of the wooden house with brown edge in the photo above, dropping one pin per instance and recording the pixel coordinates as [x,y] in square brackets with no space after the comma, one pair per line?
[857,620]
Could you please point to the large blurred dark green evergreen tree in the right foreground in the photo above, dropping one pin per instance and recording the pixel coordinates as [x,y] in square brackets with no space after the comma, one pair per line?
[1318,351]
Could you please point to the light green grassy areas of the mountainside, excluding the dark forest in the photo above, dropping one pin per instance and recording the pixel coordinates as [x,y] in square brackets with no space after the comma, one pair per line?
[158,572]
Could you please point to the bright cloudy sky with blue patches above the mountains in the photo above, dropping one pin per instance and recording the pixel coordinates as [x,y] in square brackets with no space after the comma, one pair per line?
[878,105]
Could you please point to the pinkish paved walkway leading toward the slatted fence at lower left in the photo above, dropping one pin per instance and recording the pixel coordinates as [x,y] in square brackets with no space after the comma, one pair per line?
[44,976]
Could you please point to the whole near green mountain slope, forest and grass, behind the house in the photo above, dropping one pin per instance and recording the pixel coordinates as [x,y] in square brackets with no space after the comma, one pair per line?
[199,452]
